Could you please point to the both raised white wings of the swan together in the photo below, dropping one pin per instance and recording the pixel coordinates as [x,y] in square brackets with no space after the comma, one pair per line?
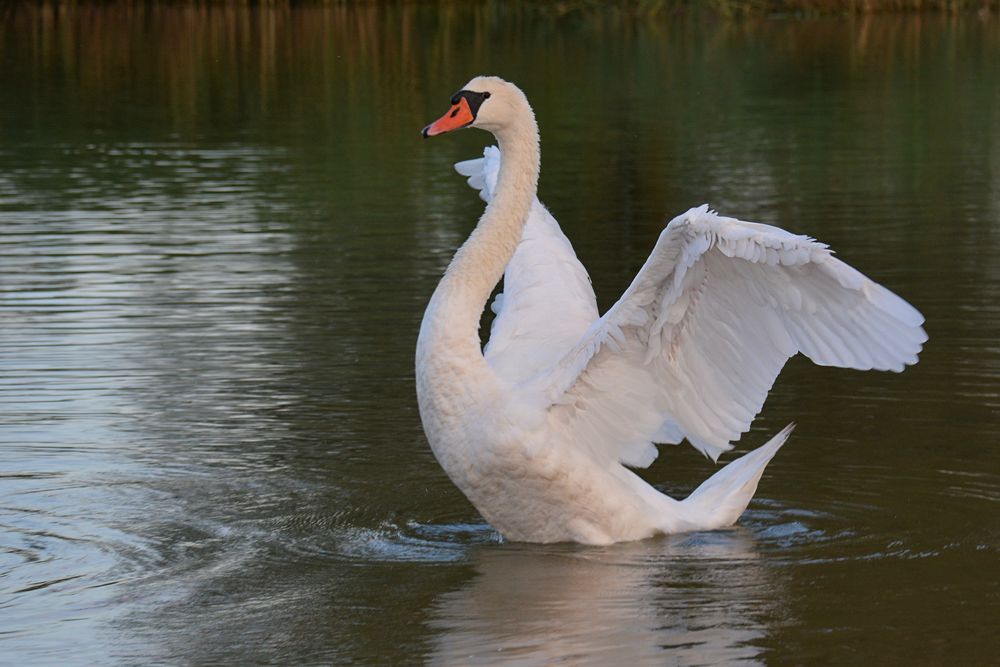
[696,342]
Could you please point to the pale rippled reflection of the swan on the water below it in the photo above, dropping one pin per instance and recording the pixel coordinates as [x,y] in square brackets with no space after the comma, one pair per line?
[688,599]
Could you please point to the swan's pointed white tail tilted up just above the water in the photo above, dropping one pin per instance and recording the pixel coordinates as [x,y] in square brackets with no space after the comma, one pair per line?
[722,498]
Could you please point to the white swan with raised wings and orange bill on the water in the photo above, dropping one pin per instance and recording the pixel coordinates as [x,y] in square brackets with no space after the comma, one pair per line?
[537,430]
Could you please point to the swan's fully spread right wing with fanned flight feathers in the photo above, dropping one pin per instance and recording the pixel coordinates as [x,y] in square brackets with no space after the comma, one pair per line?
[695,343]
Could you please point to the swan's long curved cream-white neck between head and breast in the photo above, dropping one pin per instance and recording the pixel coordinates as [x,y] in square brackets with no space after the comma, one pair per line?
[449,335]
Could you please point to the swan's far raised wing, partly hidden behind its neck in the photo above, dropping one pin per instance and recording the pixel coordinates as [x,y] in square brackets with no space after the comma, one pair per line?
[547,302]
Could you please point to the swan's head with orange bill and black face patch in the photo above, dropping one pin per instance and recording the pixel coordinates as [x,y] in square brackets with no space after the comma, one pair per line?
[486,102]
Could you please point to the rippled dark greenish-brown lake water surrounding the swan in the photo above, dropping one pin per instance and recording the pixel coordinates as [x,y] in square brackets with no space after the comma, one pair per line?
[218,231]
